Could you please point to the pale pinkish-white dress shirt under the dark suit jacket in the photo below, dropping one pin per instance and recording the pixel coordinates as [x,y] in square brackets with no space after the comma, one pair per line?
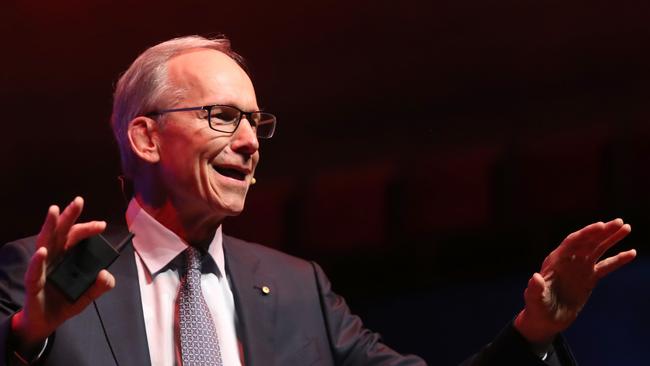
[155,247]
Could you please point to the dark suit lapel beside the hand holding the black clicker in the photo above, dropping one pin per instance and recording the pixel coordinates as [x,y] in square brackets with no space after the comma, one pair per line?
[121,312]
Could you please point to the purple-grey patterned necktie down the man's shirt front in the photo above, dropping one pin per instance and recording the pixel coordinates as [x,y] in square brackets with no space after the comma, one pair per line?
[196,330]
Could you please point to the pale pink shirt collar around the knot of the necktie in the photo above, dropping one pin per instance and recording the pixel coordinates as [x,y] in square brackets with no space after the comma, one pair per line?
[158,246]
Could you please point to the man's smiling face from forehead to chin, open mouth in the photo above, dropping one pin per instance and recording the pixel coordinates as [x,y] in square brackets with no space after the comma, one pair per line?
[206,172]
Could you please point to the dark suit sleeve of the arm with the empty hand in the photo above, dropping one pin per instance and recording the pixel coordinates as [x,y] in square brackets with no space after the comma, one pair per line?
[353,344]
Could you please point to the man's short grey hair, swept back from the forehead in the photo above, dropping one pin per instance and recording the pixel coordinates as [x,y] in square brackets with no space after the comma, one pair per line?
[144,87]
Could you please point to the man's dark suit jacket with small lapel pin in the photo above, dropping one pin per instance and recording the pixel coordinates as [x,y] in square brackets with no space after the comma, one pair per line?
[300,322]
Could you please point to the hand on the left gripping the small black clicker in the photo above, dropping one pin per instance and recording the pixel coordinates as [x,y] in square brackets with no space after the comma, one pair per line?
[45,307]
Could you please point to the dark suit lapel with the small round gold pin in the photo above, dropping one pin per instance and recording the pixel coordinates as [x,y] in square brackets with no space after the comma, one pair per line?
[255,309]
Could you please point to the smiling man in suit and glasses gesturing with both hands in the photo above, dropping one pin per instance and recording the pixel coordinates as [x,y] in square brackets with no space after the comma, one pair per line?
[187,123]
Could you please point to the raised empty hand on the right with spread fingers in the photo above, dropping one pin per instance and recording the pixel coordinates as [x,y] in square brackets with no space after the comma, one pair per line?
[555,296]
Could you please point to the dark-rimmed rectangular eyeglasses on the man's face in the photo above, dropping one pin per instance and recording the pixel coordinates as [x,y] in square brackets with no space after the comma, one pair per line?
[225,118]
